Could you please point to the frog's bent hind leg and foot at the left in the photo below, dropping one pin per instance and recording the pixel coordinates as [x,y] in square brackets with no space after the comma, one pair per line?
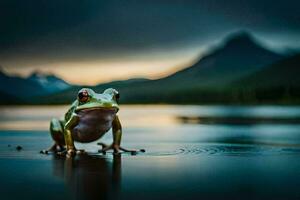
[56,131]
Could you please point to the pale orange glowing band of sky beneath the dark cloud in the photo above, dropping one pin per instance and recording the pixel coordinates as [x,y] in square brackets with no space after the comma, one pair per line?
[92,72]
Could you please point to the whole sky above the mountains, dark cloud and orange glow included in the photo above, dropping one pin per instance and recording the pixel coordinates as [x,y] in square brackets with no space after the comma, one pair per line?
[93,41]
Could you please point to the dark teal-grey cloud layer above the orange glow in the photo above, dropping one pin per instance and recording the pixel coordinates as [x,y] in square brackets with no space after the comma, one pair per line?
[57,30]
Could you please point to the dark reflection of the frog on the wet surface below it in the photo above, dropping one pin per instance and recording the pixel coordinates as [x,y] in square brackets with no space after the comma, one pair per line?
[90,177]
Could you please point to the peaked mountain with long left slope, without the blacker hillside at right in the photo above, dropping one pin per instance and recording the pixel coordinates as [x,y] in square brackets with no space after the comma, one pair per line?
[205,81]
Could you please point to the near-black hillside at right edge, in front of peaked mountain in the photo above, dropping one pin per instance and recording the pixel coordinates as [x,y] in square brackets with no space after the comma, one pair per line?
[276,83]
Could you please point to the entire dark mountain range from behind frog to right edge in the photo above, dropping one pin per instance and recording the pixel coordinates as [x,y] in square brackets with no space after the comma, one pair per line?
[239,70]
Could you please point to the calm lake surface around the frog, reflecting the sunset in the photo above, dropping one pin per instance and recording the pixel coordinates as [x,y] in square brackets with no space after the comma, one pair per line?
[192,152]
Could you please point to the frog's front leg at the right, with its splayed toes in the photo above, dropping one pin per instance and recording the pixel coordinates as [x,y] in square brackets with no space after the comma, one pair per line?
[117,136]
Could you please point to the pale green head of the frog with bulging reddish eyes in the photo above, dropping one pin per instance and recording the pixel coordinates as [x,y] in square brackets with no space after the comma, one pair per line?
[88,99]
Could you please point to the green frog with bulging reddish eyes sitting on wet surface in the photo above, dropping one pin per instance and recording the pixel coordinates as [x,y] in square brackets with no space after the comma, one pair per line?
[90,117]
